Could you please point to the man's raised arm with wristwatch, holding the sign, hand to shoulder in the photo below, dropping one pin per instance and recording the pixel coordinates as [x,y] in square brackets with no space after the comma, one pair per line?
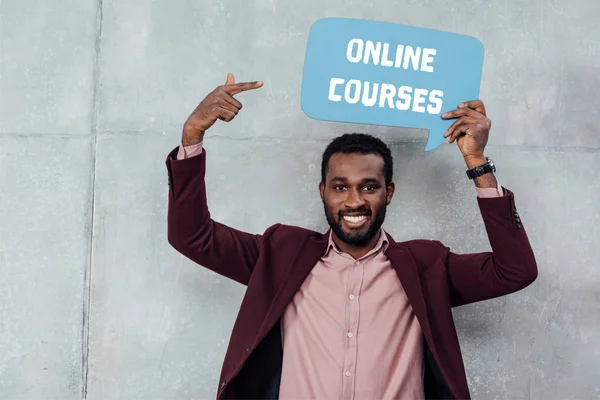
[511,265]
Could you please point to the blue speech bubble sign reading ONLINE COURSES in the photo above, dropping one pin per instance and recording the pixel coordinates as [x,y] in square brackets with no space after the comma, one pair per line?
[380,73]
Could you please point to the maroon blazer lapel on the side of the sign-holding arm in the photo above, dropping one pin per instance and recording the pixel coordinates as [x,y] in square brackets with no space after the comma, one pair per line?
[406,268]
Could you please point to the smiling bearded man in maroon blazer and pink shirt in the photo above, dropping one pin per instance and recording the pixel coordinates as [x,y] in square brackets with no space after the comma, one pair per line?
[351,313]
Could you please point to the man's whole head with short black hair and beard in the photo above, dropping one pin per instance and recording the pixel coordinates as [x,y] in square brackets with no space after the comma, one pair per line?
[356,186]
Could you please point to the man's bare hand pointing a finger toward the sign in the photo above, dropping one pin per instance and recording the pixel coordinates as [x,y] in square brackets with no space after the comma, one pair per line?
[219,104]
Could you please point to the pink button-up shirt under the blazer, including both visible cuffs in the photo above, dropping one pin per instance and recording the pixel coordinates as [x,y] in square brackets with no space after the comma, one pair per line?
[350,332]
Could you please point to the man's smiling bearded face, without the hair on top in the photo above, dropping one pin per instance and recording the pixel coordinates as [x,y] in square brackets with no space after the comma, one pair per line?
[355,196]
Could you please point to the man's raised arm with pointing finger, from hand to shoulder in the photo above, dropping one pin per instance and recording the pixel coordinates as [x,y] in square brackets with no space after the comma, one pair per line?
[190,228]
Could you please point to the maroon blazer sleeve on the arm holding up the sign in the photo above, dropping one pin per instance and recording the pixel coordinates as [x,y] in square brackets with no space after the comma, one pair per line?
[509,267]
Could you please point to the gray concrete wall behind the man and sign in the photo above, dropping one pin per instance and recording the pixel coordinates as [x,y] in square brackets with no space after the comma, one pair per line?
[93,301]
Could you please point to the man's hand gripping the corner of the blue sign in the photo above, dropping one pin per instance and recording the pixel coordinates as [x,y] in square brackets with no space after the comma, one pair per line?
[470,131]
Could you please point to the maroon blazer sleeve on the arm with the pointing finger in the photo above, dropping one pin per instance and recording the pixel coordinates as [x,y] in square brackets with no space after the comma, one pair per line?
[193,233]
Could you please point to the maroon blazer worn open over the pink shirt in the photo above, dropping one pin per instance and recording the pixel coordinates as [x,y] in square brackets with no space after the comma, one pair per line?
[273,265]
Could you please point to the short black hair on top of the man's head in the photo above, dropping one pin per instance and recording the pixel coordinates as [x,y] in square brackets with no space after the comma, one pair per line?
[363,144]
